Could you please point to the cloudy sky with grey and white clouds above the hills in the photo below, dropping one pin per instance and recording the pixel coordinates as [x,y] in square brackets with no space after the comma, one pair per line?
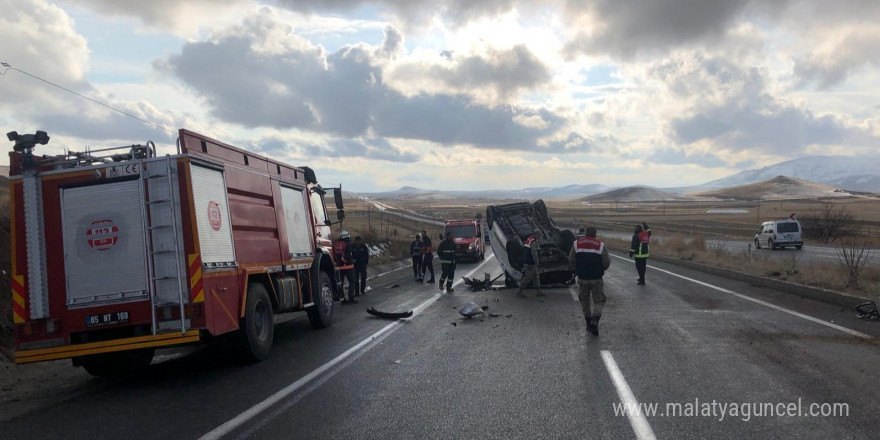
[457,94]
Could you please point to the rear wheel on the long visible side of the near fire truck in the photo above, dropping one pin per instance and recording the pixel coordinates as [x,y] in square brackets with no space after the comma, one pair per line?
[257,328]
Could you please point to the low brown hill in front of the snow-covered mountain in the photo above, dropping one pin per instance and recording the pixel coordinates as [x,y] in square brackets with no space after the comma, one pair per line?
[777,188]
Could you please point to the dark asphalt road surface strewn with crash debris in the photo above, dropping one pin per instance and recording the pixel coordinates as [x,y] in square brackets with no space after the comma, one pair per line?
[532,372]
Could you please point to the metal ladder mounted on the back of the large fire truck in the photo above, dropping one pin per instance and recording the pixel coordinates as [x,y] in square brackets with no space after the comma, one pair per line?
[161,238]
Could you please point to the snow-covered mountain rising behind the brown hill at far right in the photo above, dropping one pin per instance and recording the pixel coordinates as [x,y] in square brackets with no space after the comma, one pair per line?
[854,173]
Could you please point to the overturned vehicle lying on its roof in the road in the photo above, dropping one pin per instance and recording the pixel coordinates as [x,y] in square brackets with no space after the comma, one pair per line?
[513,223]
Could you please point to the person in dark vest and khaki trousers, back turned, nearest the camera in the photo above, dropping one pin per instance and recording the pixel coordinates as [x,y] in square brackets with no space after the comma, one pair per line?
[590,260]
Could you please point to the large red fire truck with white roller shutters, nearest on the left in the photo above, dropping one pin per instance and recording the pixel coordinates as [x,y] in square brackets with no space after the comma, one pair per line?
[117,252]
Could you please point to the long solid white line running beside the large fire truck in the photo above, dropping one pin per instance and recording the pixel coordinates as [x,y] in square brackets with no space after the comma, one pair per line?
[250,413]
